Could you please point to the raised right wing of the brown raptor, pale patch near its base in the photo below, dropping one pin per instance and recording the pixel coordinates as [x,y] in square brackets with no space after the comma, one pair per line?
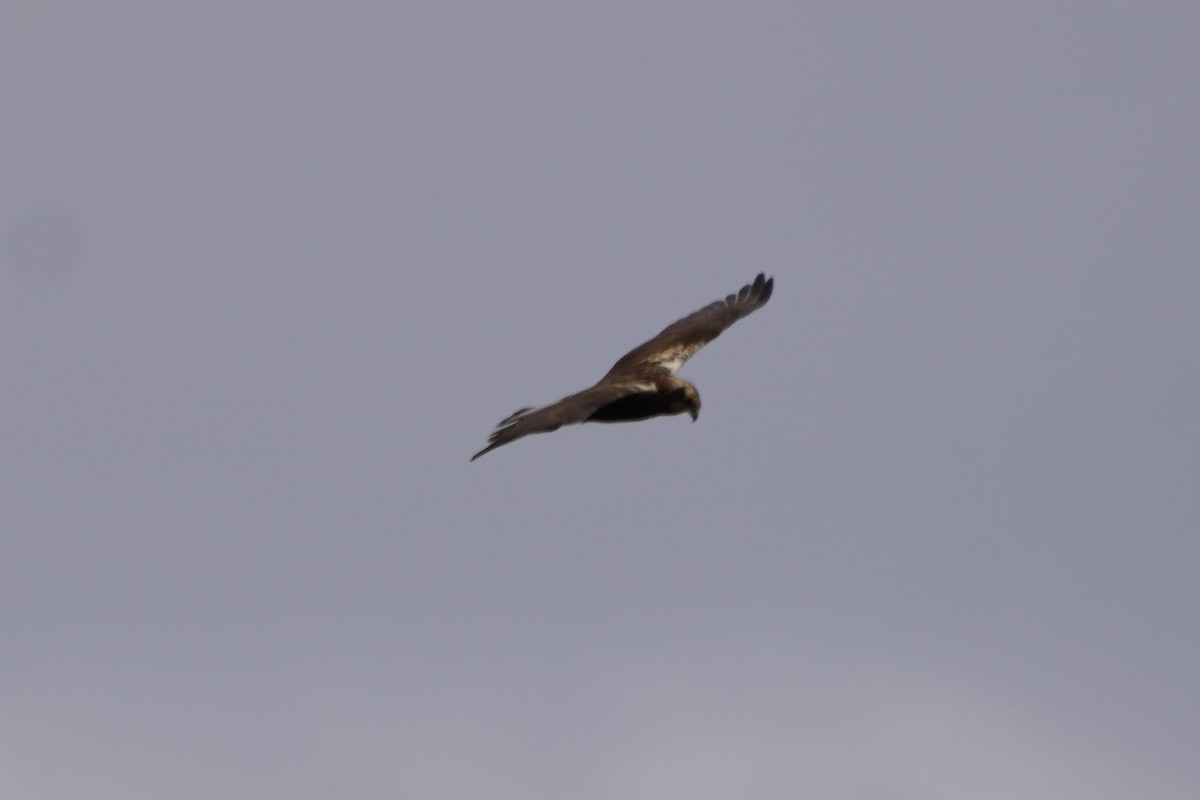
[681,340]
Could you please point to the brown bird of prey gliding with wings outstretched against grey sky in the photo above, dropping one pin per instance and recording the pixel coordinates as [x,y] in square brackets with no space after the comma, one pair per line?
[643,384]
